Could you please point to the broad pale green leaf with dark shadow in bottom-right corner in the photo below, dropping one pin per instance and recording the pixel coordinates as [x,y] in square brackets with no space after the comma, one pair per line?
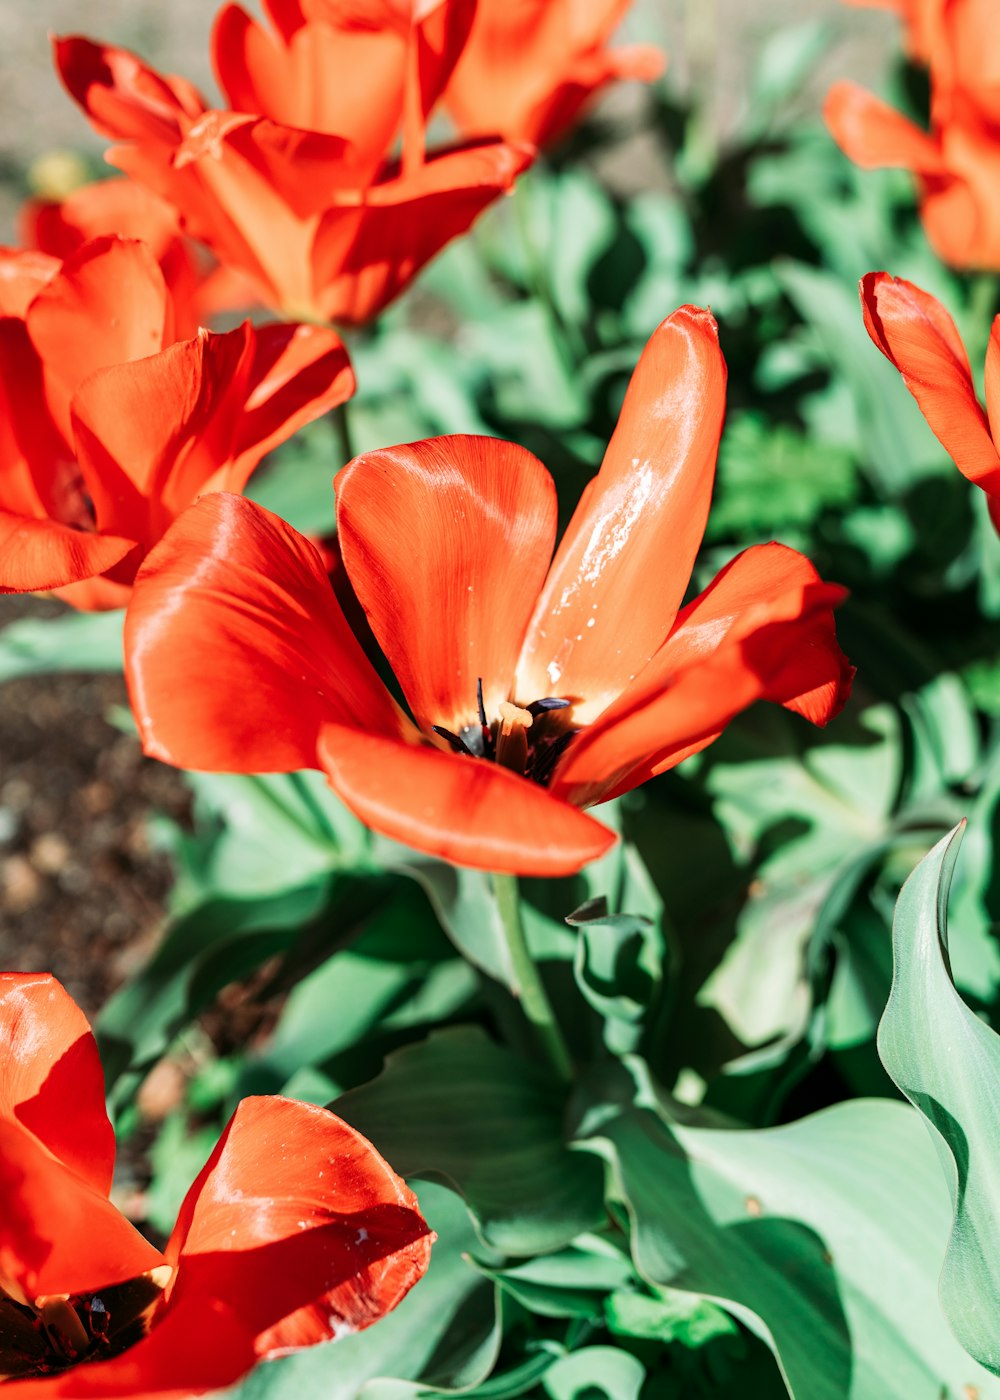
[824,1238]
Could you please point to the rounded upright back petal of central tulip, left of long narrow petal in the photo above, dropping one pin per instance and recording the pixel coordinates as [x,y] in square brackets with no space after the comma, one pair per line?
[447,544]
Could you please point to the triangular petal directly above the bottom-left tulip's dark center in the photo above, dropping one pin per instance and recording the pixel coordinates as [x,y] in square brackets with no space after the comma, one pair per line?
[58,1234]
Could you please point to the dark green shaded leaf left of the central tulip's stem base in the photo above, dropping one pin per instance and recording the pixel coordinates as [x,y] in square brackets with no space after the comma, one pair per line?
[463,1109]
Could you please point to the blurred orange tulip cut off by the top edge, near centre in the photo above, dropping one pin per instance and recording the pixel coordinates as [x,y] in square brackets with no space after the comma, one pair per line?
[532,66]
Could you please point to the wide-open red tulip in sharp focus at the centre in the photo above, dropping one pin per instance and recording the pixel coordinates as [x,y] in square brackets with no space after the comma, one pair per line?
[537,691]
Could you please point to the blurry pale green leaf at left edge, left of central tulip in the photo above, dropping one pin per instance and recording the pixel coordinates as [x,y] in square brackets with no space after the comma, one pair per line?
[72,642]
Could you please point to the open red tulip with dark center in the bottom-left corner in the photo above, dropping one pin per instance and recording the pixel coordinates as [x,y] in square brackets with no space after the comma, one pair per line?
[295,1231]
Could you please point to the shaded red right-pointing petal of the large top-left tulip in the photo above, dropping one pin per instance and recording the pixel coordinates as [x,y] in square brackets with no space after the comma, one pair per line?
[369,248]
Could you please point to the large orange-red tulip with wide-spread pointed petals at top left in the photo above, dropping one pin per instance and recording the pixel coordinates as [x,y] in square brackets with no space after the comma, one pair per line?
[293,187]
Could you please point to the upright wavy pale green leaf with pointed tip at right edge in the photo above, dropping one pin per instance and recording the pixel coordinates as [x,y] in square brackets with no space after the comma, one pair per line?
[947,1063]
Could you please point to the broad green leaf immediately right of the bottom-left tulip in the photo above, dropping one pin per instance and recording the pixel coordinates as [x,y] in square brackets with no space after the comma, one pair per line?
[445,1336]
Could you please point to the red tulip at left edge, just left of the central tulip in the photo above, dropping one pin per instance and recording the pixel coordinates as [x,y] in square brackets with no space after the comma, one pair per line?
[110,426]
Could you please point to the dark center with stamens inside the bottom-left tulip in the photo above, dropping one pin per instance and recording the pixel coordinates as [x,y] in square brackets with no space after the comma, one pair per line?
[62,1331]
